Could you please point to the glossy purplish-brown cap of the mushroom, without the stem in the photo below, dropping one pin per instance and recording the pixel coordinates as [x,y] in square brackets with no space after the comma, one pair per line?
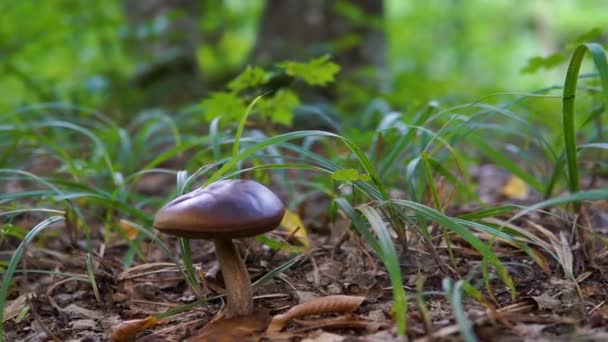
[225,209]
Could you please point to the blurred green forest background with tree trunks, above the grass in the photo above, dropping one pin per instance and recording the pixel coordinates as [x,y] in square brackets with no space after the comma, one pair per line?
[126,56]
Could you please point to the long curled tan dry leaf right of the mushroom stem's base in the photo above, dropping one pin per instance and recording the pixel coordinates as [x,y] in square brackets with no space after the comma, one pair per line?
[329,304]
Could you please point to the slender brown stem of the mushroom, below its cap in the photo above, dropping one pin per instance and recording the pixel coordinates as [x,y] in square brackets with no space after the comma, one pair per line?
[236,279]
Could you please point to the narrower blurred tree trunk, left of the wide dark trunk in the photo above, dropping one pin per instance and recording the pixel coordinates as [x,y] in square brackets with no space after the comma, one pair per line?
[166,34]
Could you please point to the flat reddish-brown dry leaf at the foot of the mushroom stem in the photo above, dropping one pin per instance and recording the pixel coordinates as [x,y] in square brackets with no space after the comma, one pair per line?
[234,329]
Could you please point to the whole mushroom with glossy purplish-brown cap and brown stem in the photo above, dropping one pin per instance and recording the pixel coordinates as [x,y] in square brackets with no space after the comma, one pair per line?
[222,211]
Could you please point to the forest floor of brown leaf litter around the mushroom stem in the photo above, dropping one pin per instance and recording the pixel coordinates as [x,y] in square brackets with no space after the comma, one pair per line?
[548,306]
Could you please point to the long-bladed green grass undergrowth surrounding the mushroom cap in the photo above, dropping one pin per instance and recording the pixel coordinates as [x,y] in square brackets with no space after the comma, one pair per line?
[91,167]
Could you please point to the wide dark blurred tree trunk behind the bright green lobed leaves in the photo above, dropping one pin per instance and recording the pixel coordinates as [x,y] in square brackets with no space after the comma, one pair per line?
[350,30]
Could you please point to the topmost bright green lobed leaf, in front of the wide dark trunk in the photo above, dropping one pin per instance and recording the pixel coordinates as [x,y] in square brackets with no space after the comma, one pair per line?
[318,71]
